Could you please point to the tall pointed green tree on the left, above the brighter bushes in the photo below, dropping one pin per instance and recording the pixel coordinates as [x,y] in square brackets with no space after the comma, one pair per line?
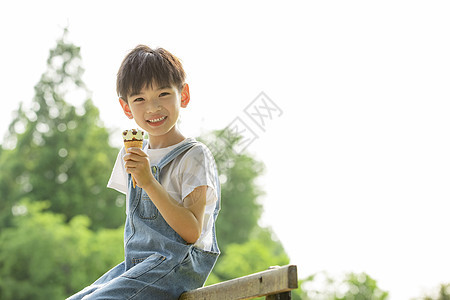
[58,152]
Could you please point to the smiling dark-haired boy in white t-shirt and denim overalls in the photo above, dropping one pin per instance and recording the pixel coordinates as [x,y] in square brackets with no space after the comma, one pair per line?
[170,243]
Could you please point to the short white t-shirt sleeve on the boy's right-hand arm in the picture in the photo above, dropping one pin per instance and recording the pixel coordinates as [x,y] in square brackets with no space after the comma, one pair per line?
[198,168]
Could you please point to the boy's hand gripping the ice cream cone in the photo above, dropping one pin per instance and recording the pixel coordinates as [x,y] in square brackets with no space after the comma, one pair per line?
[137,163]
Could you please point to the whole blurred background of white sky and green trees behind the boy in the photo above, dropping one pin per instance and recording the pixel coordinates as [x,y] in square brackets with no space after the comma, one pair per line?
[342,167]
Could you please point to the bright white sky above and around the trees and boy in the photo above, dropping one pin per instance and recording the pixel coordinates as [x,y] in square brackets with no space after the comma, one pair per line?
[357,164]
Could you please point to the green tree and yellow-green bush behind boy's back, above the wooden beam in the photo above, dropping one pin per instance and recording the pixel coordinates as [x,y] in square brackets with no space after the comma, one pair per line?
[246,247]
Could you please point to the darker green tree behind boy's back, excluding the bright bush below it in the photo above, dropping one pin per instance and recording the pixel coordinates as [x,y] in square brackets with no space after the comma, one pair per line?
[238,172]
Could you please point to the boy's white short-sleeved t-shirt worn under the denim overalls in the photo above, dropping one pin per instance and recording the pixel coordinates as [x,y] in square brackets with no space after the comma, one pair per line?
[191,169]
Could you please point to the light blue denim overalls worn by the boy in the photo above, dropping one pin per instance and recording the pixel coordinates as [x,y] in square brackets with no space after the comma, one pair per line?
[158,264]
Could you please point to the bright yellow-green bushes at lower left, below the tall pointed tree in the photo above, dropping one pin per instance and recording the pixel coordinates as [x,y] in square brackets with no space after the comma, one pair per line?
[43,257]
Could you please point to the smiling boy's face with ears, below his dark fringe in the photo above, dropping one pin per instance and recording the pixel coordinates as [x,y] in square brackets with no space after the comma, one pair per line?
[156,109]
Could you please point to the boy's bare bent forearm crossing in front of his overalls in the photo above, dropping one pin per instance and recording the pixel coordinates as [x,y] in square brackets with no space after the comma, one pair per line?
[181,219]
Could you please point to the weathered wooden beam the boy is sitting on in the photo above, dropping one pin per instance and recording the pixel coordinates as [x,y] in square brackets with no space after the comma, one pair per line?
[275,284]
